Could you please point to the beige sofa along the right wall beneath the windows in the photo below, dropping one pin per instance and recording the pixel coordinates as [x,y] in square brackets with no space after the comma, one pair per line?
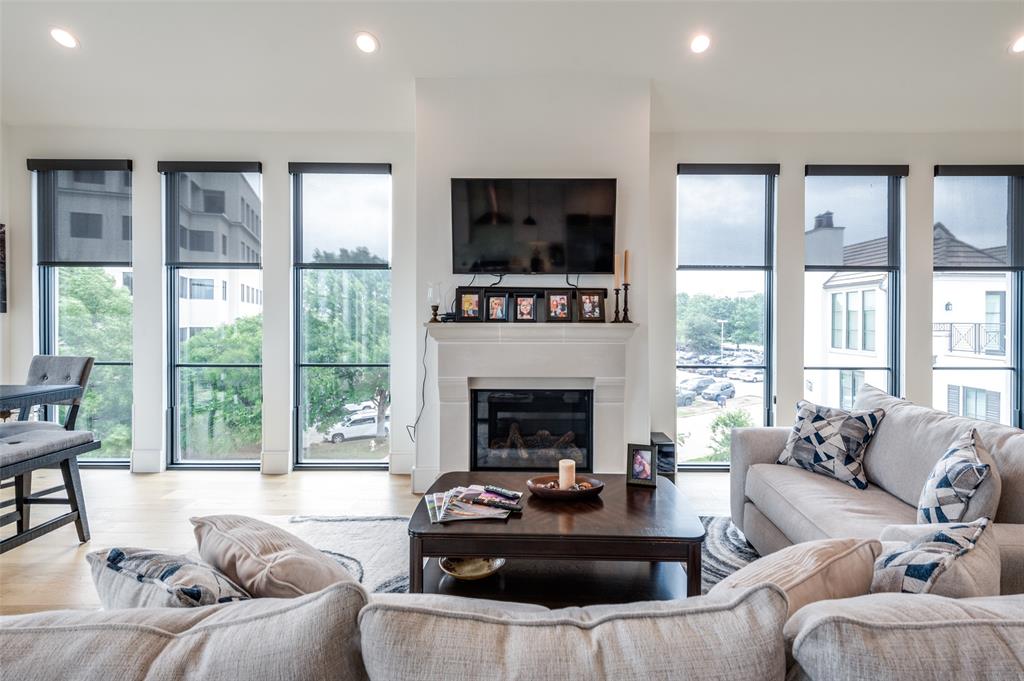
[777,506]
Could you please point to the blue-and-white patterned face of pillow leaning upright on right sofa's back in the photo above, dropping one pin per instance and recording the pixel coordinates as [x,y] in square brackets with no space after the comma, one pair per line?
[954,481]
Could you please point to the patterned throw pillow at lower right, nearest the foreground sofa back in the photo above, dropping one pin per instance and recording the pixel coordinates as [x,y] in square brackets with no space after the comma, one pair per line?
[959,561]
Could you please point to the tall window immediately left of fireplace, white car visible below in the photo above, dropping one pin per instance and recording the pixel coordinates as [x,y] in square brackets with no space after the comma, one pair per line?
[344,308]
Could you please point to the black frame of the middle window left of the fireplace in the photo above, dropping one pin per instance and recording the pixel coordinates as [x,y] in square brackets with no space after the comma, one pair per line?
[175,266]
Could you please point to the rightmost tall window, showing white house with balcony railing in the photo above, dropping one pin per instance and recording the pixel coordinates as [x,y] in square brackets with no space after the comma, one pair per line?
[977,292]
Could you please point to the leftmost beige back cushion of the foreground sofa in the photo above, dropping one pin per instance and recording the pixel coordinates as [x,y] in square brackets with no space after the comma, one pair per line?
[311,637]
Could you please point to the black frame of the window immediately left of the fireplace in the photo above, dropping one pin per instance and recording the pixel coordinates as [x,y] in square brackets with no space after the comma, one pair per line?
[297,171]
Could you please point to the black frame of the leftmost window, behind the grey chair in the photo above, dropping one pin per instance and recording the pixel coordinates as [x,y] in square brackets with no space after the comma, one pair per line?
[45,172]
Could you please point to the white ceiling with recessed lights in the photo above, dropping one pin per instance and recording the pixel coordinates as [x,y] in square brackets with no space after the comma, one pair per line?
[817,66]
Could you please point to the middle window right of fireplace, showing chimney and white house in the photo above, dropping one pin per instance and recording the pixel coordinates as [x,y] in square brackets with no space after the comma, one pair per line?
[851,247]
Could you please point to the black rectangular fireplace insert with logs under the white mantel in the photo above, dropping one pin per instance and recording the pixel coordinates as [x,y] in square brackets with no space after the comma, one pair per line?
[531,430]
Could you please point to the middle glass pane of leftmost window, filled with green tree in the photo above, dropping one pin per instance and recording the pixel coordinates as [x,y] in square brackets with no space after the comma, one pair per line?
[95,313]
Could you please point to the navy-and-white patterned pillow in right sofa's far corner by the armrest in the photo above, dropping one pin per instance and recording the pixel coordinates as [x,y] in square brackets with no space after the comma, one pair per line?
[832,442]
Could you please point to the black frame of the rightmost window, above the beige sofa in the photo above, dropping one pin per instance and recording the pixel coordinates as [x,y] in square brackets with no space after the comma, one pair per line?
[1015,272]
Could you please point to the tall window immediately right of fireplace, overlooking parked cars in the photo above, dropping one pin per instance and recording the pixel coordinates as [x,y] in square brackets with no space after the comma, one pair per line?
[726,224]
